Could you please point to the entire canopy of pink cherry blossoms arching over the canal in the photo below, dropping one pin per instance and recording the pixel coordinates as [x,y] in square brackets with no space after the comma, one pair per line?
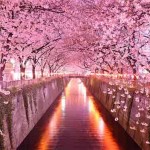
[112,35]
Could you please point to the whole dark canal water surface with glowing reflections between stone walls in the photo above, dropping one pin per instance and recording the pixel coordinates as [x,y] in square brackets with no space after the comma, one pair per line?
[76,122]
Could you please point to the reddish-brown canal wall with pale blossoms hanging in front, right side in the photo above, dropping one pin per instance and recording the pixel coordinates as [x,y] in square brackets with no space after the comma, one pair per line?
[129,106]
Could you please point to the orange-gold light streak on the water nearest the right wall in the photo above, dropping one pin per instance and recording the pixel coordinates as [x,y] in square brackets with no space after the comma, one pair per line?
[98,125]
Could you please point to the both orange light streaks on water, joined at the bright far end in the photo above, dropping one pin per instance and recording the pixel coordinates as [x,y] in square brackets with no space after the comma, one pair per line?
[72,101]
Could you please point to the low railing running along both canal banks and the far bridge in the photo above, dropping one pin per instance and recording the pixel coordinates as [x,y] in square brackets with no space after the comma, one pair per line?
[106,78]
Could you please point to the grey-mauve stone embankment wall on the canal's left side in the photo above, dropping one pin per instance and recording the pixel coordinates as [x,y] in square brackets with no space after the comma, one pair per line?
[22,109]
